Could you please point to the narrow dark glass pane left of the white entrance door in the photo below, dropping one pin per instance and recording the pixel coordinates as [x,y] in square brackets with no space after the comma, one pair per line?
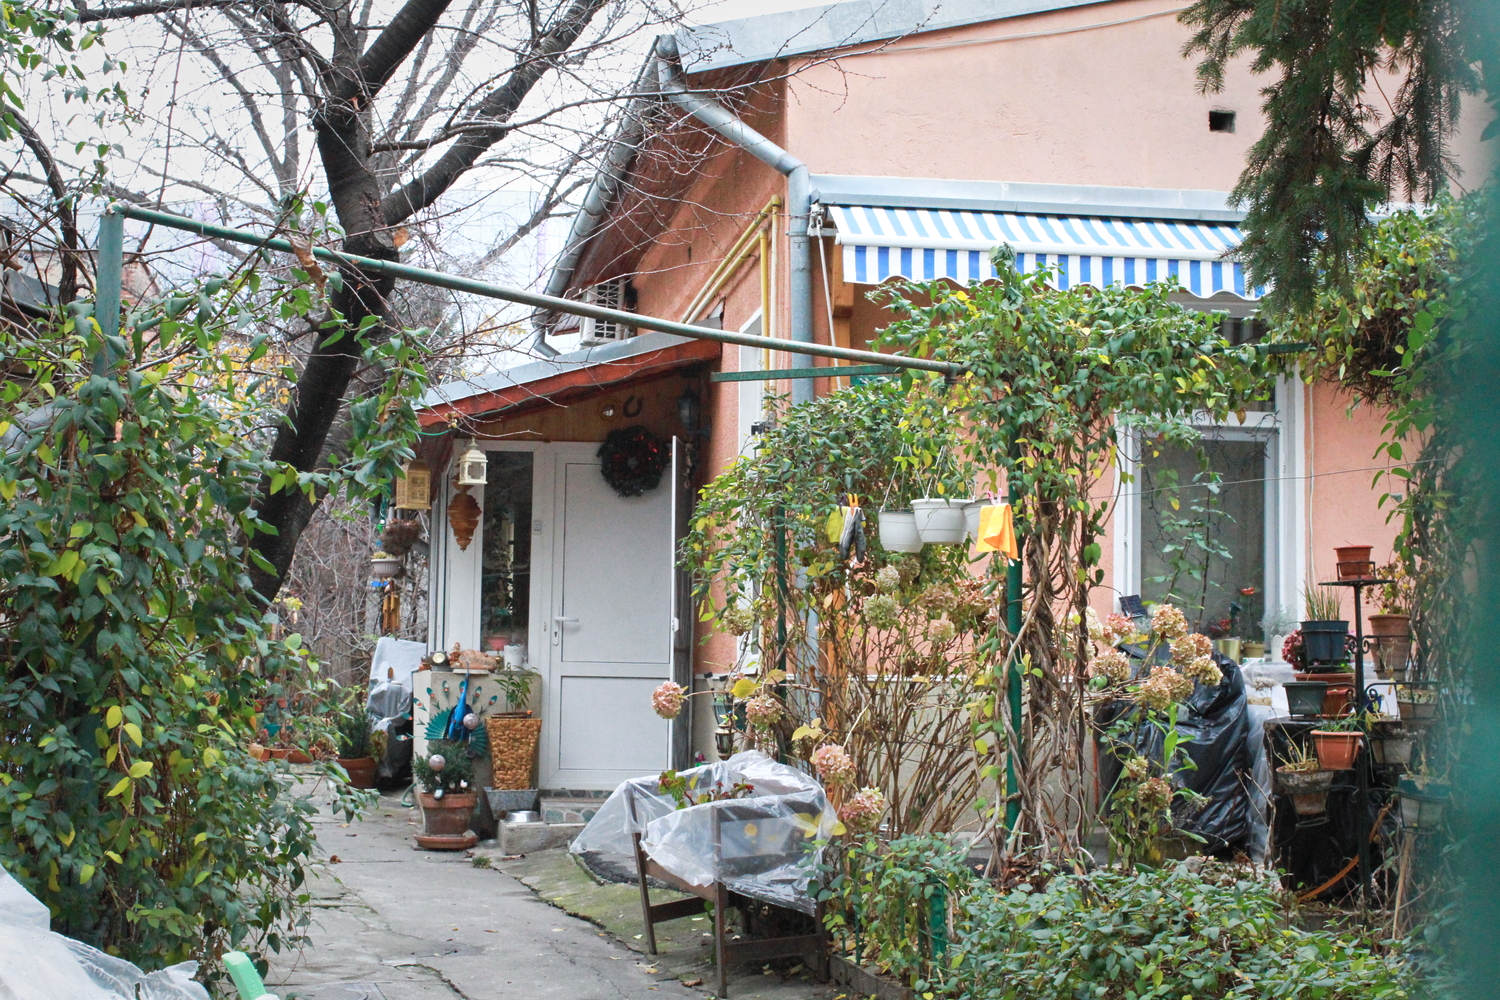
[506,575]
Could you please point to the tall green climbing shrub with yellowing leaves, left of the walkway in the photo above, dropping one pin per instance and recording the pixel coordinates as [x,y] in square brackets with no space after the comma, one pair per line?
[136,654]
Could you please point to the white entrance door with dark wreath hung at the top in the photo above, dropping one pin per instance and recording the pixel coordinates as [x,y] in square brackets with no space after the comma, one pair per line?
[611,627]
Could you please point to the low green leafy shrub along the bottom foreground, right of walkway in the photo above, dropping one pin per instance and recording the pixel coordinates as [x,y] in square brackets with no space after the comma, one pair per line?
[1205,933]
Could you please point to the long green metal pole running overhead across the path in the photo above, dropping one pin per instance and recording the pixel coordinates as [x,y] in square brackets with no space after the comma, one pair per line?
[538,301]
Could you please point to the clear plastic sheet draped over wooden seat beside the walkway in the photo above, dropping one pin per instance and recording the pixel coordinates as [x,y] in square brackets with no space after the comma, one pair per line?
[763,846]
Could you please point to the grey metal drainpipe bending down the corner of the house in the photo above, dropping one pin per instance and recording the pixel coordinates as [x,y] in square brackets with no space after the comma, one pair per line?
[799,193]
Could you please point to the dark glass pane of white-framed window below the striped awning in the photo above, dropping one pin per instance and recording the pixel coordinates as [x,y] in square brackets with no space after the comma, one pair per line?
[1204,534]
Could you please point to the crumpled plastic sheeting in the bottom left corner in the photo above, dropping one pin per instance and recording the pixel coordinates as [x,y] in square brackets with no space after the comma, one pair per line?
[40,965]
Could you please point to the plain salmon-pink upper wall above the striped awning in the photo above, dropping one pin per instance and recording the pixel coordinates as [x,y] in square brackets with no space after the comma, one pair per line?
[1114,106]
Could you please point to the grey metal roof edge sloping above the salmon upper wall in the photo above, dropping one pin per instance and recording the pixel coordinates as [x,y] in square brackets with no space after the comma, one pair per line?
[836,26]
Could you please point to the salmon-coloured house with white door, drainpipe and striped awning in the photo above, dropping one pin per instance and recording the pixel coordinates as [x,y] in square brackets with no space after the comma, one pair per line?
[788,166]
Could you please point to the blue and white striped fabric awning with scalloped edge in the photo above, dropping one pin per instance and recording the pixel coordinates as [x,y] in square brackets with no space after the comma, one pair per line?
[926,244]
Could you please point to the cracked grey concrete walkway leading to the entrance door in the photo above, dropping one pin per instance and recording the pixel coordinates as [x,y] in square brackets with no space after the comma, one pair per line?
[392,923]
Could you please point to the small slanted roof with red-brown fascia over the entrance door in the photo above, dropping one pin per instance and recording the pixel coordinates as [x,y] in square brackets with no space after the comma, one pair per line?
[562,380]
